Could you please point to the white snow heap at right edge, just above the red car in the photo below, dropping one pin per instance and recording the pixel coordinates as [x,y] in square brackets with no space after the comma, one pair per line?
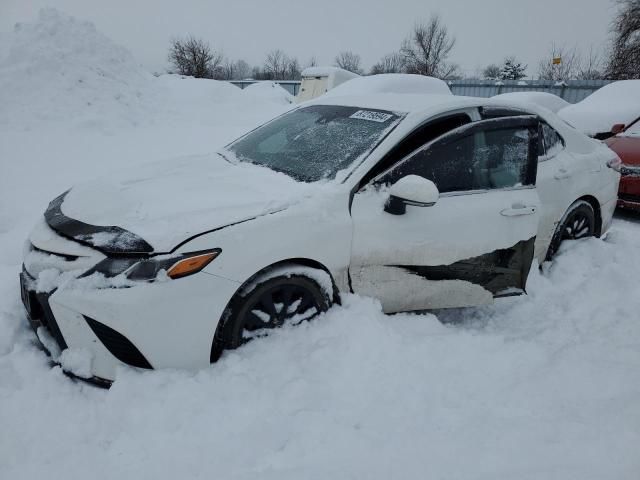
[617,102]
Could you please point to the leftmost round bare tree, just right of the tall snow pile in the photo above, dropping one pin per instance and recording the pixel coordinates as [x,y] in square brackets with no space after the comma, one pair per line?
[194,57]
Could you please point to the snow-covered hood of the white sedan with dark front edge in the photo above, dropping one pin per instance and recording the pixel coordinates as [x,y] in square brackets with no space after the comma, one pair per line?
[159,206]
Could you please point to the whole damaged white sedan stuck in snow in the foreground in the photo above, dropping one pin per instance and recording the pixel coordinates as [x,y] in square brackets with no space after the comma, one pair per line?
[422,201]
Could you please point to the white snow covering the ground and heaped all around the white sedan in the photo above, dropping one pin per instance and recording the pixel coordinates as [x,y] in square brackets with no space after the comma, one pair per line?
[539,387]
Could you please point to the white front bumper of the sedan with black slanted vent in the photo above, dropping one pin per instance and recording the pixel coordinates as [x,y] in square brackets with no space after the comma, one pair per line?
[167,324]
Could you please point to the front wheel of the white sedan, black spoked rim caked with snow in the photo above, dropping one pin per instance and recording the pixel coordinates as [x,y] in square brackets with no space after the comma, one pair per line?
[270,303]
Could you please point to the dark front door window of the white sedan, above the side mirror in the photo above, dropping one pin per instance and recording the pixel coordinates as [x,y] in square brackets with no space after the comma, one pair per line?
[484,160]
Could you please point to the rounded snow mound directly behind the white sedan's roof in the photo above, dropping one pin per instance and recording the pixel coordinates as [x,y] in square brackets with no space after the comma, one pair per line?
[391,83]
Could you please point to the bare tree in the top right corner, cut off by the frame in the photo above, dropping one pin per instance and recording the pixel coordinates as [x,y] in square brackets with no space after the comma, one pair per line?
[625,56]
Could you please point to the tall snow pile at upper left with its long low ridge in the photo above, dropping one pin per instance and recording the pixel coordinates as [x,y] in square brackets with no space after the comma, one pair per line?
[59,66]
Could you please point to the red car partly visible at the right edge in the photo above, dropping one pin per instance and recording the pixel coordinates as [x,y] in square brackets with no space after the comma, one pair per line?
[626,144]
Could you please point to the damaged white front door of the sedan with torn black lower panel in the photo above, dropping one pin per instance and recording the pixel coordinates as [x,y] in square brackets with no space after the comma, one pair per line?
[475,243]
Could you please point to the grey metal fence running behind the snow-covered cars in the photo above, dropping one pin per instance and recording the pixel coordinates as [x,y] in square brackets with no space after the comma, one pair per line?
[572,90]
